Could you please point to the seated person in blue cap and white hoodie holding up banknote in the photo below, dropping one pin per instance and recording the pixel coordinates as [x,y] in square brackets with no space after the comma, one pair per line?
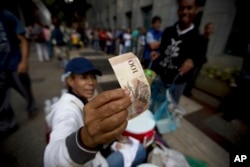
[79,128]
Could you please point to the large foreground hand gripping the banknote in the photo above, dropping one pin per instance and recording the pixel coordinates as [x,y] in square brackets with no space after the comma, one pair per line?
[105,117]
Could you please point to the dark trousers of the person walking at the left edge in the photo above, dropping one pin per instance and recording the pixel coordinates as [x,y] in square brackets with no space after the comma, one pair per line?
[21,83]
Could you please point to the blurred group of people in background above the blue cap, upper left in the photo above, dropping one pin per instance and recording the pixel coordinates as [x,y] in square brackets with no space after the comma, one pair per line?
[54,40]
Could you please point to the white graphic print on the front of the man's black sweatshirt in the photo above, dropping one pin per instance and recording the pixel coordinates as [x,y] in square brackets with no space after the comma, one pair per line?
[171,52]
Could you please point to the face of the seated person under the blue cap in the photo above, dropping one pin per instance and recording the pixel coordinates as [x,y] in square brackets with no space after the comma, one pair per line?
[83,85]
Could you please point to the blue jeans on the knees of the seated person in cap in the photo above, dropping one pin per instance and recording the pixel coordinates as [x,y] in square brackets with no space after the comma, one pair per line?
[116,158]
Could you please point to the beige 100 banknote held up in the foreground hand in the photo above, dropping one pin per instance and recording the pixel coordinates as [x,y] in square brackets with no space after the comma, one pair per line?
[130,75]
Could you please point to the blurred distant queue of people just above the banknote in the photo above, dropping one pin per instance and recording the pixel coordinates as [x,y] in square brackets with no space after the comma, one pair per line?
[118,41]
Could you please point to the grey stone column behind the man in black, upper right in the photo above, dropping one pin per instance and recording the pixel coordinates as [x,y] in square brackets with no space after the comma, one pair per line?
[222,14]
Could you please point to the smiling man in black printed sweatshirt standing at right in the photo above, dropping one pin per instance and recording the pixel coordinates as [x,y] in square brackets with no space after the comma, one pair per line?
[180,50]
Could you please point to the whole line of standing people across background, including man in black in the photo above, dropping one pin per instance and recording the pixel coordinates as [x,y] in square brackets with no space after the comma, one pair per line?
[167,51]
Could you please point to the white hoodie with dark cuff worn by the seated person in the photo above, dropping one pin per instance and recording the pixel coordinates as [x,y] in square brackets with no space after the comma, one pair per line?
[64,149]
